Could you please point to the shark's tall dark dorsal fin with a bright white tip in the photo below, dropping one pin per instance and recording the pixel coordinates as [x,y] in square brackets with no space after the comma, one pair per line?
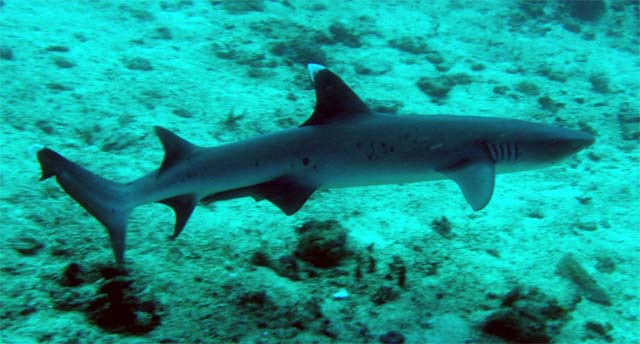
[335,101]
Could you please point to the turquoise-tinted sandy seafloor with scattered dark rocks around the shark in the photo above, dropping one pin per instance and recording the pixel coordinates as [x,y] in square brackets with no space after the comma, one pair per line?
[90,79]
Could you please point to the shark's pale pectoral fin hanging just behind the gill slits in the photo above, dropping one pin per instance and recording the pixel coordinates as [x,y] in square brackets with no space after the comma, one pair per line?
[476,179]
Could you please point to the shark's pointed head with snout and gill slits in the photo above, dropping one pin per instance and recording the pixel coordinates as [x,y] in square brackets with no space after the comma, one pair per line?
[541,145]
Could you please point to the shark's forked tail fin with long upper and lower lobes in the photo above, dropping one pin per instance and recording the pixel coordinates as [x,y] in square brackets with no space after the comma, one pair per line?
[107,201]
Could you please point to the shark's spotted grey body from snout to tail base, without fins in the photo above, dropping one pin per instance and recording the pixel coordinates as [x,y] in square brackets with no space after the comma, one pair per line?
[382,149]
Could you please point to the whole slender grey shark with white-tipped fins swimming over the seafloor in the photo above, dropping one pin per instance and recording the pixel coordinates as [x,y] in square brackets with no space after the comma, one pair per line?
[344,143]
